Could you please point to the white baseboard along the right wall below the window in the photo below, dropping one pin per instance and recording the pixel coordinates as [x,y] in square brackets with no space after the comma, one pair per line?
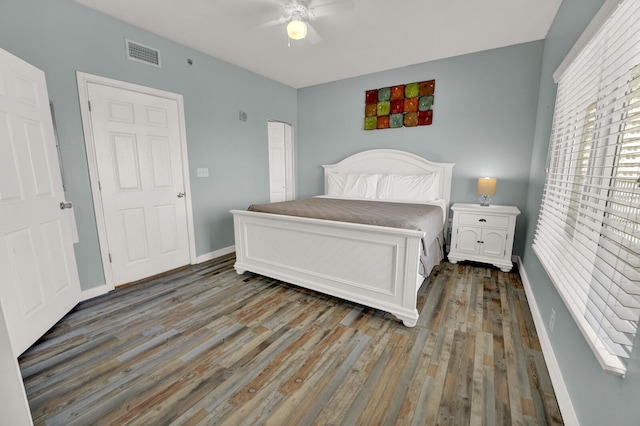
[562,393]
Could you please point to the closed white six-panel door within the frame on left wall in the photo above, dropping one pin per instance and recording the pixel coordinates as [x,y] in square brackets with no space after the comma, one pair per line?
[138,150]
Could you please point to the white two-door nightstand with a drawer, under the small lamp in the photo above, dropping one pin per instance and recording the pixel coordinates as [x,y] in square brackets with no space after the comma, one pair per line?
[483,234]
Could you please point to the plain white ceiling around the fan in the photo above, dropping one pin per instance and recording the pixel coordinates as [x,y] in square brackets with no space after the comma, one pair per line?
[357,36]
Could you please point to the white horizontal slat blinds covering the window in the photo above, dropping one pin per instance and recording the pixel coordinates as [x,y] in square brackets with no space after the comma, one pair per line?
[588,232]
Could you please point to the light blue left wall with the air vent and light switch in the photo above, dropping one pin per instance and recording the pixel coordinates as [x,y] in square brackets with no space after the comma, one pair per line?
[61,37]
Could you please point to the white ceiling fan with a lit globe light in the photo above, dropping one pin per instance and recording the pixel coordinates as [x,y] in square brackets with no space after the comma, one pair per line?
[298,14]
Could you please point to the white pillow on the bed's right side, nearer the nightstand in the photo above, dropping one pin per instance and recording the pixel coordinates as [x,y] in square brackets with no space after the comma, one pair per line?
[417,188]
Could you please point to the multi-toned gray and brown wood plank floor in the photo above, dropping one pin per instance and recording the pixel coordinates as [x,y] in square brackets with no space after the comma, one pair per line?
[204,345]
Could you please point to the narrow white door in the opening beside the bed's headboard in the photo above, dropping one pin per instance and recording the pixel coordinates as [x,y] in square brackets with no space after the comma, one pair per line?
[281,176]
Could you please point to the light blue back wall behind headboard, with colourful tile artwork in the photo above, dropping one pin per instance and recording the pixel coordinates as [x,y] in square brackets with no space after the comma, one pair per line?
[484,120]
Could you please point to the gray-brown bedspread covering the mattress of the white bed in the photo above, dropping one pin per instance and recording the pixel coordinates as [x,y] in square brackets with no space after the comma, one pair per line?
[420,217]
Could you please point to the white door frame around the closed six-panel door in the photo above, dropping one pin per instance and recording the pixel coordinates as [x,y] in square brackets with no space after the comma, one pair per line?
[83,80]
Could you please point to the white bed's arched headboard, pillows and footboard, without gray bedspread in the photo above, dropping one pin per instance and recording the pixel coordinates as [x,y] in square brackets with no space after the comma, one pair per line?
[378,266]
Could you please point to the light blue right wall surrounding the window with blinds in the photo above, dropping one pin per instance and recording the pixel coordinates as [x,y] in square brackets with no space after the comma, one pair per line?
[598,398]
